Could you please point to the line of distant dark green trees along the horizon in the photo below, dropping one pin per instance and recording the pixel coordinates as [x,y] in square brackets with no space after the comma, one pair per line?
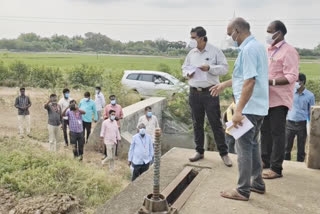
[99,43]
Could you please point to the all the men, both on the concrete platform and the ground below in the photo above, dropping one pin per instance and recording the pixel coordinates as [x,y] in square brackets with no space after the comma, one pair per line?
[267,89]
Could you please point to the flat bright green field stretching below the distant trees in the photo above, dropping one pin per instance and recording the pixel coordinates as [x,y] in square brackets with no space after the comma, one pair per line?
[119,63]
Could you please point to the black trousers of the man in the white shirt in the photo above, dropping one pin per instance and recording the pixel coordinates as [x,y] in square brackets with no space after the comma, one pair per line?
[203,103]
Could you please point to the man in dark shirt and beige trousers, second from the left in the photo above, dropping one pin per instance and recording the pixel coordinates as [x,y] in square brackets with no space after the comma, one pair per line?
[54,121]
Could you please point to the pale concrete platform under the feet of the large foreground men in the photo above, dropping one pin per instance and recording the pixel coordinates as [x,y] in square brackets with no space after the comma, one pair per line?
[297,192]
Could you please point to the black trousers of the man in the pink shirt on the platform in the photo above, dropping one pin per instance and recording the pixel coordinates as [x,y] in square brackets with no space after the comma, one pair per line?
[273,138]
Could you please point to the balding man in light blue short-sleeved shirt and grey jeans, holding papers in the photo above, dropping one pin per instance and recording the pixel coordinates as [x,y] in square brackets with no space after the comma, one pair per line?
[250,88]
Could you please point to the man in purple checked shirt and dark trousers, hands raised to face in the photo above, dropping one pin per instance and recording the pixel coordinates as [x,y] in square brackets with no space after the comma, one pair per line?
[76,128]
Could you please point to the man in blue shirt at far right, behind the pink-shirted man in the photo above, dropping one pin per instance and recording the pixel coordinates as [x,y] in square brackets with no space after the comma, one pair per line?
[297,119]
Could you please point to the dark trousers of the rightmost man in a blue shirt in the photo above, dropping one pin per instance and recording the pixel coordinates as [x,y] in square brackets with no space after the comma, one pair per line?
[294,129]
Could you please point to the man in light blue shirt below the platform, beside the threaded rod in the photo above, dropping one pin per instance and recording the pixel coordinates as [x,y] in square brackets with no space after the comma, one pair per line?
[141,152]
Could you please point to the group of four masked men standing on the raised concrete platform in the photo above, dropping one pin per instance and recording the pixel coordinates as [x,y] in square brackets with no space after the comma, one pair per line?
[267,89]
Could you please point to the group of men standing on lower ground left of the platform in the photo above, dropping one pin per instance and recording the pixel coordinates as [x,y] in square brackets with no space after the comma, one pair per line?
[79,117]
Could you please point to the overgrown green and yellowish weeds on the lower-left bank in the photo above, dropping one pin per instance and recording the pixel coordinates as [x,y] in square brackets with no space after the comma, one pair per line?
[29,170]
